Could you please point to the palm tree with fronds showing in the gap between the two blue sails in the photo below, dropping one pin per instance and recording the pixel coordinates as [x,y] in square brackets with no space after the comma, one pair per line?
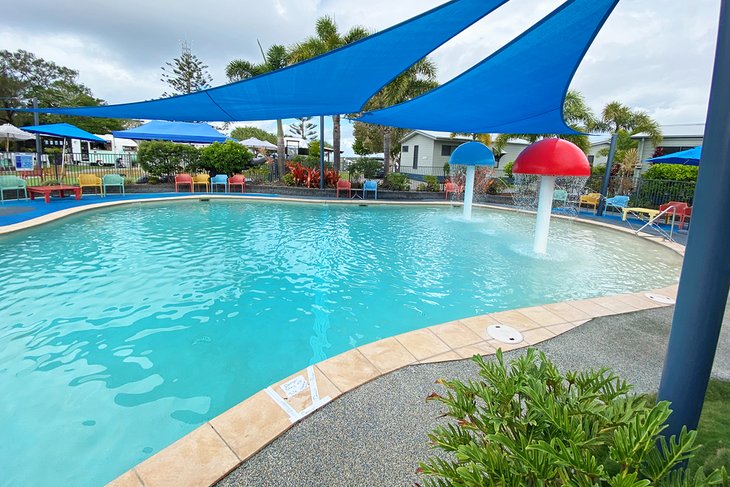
[413,82]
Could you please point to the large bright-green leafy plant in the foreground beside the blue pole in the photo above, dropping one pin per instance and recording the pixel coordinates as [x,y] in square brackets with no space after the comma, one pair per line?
[526,424]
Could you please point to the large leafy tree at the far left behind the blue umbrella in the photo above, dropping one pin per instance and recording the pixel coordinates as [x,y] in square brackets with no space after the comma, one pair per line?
[23,76]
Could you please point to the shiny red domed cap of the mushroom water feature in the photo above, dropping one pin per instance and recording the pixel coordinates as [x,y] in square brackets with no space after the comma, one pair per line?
[552,157]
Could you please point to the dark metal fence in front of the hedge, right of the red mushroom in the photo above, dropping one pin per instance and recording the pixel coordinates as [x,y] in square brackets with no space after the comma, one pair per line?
[646,193]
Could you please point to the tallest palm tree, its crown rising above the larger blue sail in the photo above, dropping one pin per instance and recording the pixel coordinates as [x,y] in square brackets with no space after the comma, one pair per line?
[327,38]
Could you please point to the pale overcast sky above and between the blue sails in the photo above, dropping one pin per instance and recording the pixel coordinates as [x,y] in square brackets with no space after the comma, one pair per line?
[651,55]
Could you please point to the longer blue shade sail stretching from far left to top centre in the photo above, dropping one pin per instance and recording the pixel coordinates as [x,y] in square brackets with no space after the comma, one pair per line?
[340,81]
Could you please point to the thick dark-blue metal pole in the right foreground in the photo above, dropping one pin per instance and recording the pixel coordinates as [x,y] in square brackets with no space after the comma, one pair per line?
[703,288]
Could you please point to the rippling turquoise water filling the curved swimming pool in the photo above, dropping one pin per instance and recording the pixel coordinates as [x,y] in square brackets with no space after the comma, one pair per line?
[121,330]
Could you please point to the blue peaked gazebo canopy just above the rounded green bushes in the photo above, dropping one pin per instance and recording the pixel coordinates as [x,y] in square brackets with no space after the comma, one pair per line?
[198,133]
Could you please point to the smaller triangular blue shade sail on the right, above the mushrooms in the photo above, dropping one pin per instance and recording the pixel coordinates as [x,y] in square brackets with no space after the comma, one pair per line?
[518,89]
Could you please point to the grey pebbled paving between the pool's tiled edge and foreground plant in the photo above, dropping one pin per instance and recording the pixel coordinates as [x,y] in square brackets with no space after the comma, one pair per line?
[377,434]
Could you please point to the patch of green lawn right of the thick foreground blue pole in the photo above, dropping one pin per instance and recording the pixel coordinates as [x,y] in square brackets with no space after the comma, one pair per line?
[713,432]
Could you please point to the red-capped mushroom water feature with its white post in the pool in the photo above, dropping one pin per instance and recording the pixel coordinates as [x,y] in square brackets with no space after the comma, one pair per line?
[550,158]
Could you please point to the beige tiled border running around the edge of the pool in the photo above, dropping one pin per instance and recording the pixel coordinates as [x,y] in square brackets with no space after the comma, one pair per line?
[219,446]
